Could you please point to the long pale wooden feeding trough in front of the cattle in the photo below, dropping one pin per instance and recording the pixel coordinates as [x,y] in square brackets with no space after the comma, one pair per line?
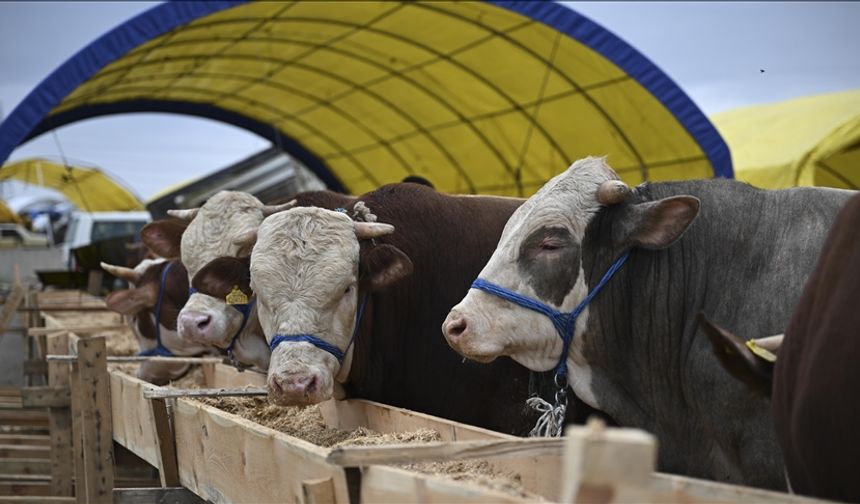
[221,457]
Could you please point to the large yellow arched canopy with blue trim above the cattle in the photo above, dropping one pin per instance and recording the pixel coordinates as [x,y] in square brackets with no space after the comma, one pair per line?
[479,97]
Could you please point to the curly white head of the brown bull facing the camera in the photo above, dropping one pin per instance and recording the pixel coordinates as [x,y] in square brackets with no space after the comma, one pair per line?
[310,273]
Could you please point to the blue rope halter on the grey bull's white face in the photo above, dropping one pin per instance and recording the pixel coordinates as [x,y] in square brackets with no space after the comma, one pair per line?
[565,323]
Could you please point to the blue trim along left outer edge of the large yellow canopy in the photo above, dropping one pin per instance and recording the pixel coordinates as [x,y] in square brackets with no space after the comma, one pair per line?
[89,60]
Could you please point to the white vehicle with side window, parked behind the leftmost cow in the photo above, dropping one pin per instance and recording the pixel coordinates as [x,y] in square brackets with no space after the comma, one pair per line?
[88,227]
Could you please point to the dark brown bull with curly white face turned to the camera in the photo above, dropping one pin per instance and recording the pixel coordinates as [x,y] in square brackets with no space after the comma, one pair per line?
[350,307]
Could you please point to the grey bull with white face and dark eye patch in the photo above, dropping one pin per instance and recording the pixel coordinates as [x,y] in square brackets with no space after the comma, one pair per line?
[716,246]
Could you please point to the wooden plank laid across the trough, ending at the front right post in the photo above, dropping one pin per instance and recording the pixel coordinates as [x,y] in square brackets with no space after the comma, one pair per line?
[357,456]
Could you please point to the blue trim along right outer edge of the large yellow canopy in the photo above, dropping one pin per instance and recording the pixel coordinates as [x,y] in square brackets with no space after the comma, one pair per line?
[638,67]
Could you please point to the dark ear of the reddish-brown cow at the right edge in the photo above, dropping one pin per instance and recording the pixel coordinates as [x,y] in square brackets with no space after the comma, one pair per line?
[736,357]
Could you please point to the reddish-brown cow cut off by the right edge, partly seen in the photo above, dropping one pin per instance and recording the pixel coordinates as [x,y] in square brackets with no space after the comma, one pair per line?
[815,373]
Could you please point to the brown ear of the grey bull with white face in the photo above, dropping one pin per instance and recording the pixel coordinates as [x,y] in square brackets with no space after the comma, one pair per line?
[658,224]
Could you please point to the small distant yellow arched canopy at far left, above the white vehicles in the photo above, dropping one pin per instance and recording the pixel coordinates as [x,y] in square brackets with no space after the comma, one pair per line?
[89,189]
